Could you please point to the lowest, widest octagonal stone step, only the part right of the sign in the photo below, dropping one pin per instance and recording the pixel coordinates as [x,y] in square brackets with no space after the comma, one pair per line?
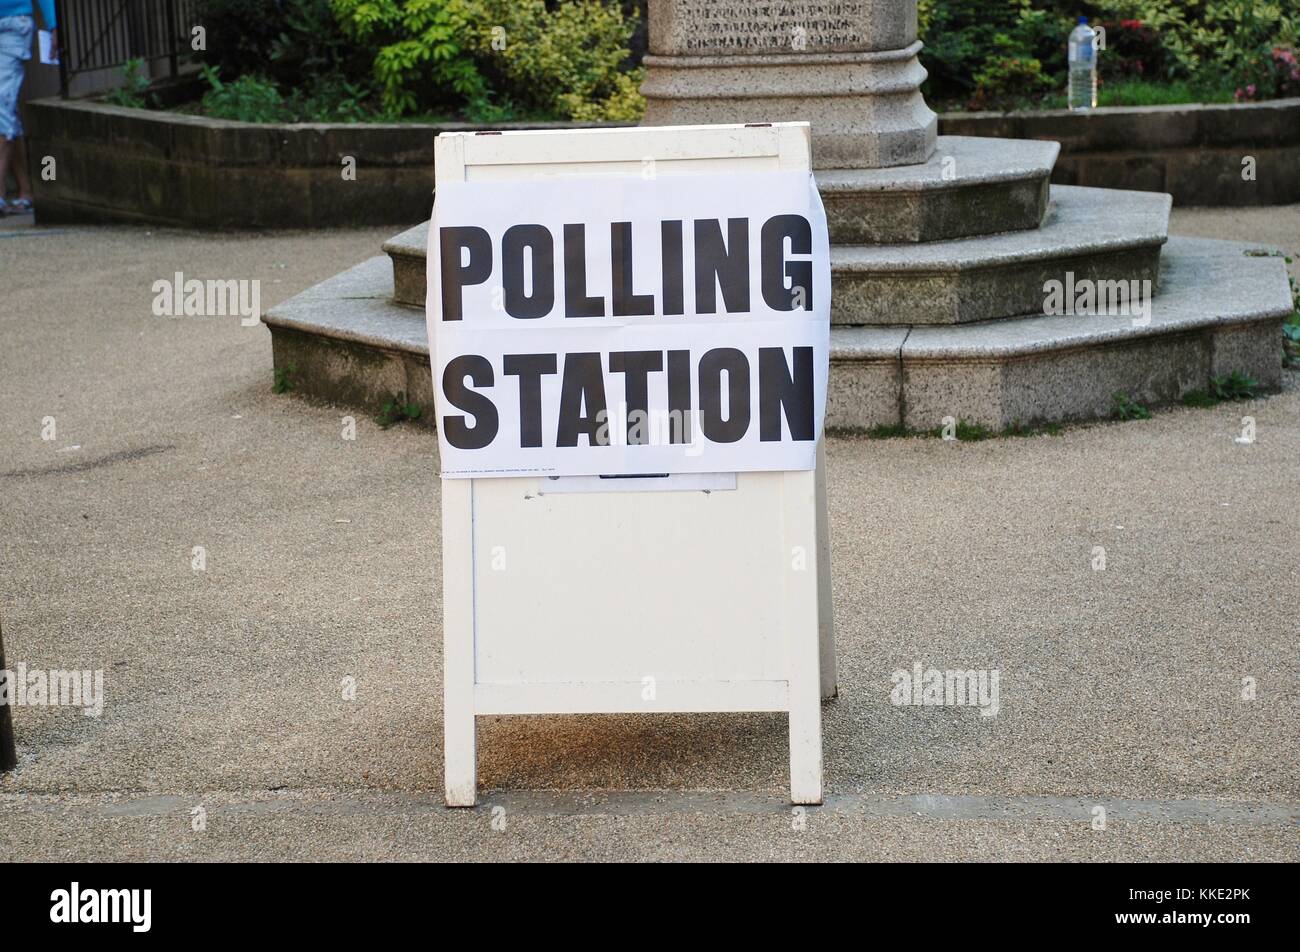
[1219,310]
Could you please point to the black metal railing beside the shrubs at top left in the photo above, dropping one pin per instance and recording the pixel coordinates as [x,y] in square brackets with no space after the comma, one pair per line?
[106,34]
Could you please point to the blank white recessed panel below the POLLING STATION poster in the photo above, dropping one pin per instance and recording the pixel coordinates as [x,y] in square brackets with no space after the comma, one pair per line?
[621,587]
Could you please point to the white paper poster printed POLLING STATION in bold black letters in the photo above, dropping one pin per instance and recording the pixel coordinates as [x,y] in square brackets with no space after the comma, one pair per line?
[617,326]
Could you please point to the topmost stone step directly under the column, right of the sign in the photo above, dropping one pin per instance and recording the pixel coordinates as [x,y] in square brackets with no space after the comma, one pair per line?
[970,187]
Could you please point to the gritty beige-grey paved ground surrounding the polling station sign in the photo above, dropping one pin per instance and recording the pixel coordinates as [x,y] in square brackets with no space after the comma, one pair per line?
[224,689]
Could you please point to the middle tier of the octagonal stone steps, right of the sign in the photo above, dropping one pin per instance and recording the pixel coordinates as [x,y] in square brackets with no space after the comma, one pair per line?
[1103,235]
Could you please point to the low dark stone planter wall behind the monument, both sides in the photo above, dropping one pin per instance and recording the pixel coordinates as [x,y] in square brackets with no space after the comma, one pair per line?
[115,165]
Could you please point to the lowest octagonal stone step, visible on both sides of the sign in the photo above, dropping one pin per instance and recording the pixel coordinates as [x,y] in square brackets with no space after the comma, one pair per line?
[1219,311]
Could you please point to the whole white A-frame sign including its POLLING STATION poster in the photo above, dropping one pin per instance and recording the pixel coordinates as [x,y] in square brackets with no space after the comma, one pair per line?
[630,340]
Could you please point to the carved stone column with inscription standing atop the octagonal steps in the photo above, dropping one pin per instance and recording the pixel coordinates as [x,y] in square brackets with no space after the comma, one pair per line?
[848,67]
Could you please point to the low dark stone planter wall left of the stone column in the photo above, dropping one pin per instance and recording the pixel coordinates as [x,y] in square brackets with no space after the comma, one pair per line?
[115,165]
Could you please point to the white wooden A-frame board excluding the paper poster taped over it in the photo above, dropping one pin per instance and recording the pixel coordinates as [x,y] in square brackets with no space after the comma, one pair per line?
[558,600]
